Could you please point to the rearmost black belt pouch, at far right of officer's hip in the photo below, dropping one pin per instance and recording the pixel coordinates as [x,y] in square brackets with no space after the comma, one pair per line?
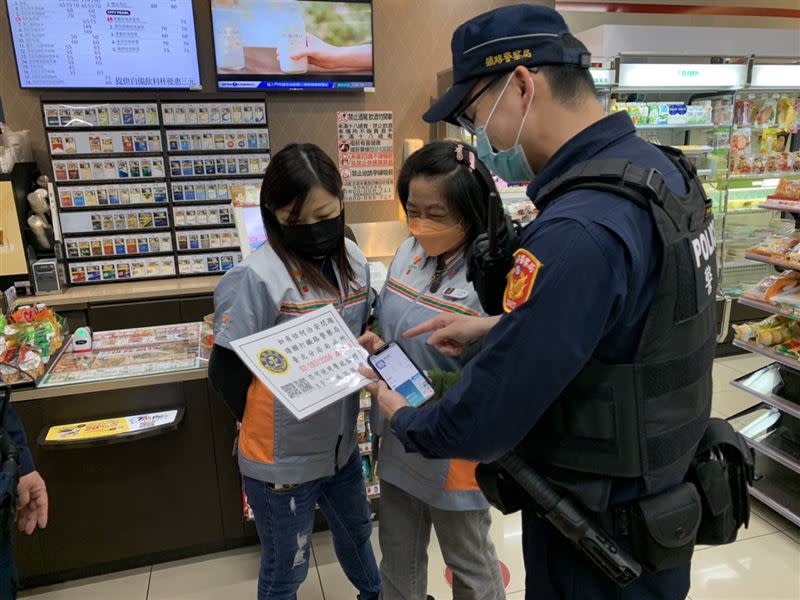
[722,469]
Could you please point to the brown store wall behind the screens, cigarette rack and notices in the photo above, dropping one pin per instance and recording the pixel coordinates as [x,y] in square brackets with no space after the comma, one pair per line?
[412,43]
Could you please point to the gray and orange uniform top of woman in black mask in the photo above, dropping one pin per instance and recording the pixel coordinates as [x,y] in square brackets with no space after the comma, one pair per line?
[273,445]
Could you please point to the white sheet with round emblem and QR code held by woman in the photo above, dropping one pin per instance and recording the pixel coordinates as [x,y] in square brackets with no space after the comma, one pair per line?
[308,363]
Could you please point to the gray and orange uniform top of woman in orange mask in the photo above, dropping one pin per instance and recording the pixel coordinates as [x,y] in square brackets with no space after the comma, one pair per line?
[406,301]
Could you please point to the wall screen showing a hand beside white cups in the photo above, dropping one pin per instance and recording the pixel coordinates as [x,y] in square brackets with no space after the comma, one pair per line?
[284,45]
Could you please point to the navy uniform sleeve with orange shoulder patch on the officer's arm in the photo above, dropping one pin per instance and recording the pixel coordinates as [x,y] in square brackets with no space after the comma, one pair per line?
[531,355]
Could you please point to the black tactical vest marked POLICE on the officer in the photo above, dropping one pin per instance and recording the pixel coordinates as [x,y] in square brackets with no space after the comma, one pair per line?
[645,419]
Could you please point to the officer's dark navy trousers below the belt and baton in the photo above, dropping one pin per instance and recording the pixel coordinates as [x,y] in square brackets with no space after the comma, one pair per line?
[556,570]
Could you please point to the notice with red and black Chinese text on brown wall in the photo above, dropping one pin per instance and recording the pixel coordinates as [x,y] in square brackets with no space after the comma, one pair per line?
[366,155]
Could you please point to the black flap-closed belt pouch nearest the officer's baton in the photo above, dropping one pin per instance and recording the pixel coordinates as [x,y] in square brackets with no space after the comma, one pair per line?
[663,528]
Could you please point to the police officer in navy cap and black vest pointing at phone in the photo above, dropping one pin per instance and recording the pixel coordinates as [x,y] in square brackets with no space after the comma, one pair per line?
[601,281]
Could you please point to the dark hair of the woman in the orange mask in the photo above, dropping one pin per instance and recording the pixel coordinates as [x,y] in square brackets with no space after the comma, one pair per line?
[463,180]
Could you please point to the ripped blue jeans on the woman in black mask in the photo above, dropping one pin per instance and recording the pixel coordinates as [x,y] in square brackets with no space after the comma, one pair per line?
[285,520]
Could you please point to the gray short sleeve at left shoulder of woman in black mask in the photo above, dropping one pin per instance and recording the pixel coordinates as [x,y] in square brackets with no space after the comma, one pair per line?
[242,307]
